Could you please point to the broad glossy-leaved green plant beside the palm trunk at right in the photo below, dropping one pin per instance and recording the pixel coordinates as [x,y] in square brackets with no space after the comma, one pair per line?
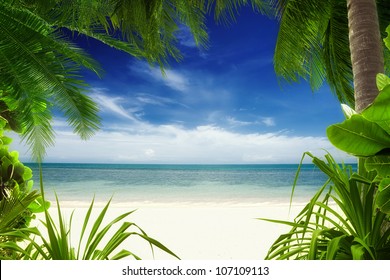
[367,135]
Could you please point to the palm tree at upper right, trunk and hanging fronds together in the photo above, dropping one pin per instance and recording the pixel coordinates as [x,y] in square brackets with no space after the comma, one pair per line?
[313,43]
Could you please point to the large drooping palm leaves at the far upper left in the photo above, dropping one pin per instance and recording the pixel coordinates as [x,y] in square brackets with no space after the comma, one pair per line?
[39,70]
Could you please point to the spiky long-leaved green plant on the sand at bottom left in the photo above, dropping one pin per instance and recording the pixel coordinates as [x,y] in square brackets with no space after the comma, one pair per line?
[96,242]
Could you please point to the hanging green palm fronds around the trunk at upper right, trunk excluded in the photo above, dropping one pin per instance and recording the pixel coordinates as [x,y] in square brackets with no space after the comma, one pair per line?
[313,43]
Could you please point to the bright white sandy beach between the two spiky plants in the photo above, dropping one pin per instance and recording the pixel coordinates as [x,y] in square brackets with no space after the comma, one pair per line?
[199,232]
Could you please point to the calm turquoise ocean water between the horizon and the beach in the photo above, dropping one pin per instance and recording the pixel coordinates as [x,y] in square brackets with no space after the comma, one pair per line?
[77,184]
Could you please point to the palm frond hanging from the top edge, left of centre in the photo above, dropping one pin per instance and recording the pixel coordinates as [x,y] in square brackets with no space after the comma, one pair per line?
[151,27]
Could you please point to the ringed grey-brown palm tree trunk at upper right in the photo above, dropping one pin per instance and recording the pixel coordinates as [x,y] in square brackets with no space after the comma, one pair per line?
[366,50]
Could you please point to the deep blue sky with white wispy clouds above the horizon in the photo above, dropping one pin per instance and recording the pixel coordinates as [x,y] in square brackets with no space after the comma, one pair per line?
[223,104]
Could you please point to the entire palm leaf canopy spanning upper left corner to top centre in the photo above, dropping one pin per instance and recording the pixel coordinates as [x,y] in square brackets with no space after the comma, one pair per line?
[40,66]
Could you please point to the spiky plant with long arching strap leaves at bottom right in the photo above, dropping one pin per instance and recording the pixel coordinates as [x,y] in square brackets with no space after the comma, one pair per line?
[341,221]
